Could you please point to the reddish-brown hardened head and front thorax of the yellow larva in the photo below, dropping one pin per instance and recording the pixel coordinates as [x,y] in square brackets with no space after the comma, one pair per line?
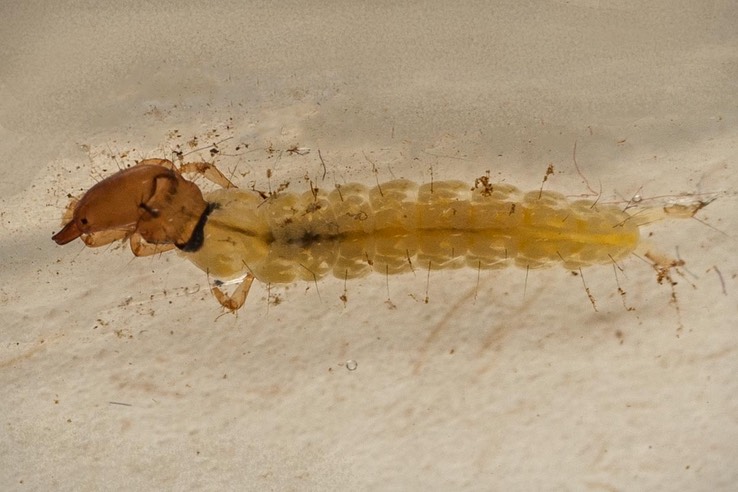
[152,200]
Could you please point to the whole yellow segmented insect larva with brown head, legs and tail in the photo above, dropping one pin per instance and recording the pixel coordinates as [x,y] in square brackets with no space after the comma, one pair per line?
[238,235]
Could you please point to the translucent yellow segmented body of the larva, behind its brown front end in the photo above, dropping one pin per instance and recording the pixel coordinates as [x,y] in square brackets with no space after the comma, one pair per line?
[397,226]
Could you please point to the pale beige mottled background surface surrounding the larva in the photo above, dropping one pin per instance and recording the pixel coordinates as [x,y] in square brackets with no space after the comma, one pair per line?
[507,391]
